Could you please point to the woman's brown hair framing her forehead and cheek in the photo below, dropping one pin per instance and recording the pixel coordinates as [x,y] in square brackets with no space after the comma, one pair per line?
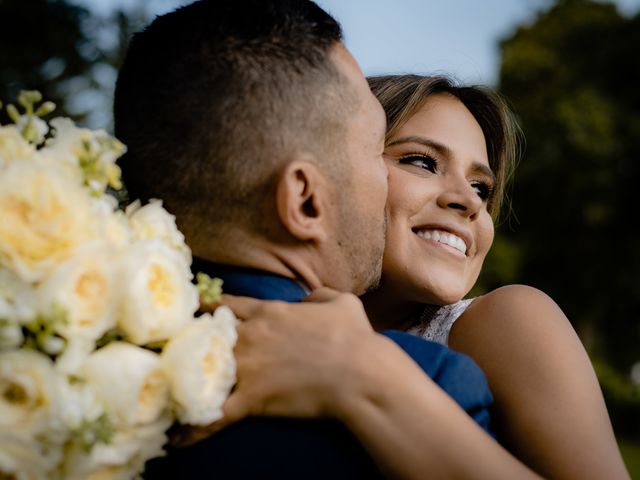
[402,96]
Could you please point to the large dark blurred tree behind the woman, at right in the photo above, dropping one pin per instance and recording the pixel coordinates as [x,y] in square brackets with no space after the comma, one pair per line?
[573,79]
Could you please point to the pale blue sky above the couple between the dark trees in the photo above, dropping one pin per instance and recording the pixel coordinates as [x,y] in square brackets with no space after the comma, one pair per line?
[457,37]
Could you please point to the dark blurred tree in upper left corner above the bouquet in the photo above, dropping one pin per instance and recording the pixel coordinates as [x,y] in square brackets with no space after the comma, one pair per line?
[67,53]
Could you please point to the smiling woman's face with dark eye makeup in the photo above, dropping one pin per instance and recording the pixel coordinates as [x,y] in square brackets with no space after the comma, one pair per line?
[439,229]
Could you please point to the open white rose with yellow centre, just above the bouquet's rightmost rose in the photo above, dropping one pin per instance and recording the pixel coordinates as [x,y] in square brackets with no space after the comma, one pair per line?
[159,297]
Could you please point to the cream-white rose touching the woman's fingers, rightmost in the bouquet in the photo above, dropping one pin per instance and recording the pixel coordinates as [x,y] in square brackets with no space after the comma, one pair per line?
[201,368]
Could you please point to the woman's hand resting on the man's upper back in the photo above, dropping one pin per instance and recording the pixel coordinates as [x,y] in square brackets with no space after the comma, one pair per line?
[294,359]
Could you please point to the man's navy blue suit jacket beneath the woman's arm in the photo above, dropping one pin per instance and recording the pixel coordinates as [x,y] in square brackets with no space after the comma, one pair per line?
[285,448]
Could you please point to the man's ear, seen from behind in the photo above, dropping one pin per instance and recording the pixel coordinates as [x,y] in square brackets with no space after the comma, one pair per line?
[302,199]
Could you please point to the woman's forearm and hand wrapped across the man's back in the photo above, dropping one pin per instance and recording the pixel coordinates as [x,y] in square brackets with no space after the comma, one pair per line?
[324,359]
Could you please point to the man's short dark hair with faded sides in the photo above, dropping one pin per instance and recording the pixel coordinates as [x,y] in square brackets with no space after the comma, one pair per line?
[215,96]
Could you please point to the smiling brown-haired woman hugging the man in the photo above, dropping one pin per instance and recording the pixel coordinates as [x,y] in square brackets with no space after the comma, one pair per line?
[449,152]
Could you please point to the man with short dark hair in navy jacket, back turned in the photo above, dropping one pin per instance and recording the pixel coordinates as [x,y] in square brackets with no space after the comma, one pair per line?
[254,124]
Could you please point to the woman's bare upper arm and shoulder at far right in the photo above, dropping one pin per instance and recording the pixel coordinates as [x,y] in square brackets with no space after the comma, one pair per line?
[549,409]
